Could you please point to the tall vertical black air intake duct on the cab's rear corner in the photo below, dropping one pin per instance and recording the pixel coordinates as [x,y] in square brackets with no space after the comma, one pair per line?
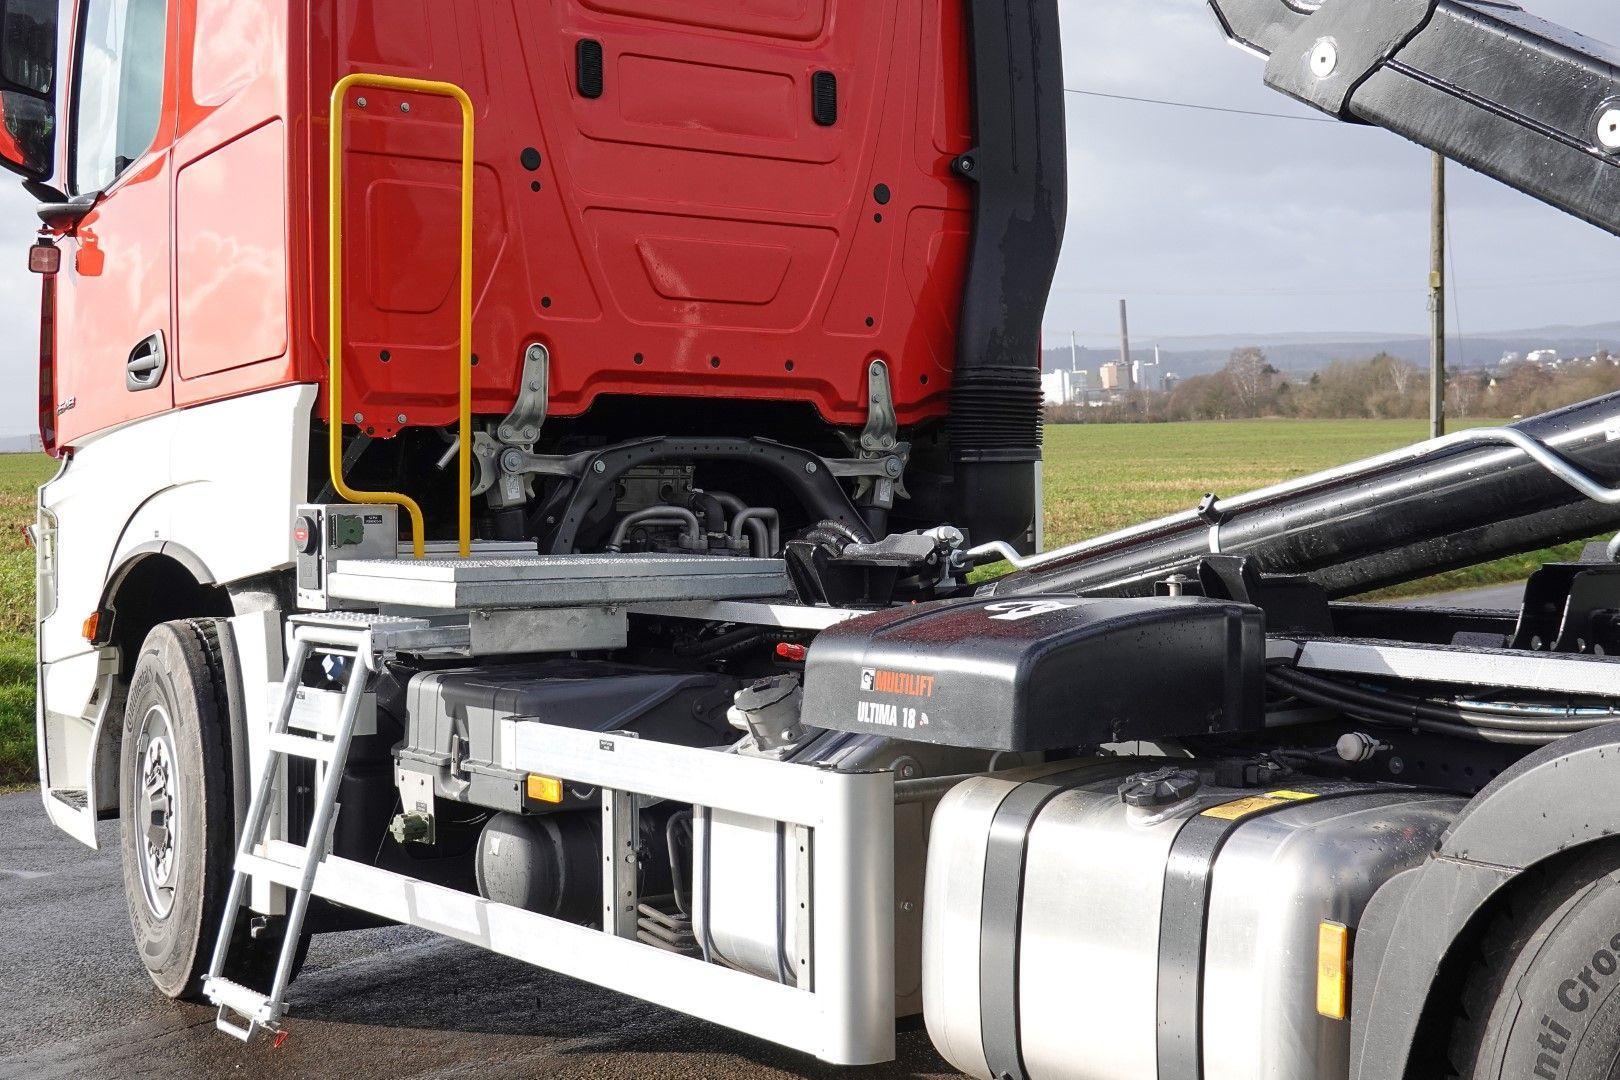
[1021,177]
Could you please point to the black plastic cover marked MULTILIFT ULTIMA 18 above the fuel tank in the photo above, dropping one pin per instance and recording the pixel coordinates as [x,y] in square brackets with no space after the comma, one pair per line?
[1041,674]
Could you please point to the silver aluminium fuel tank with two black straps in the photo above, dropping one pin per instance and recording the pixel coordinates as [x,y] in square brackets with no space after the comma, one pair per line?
[1073,937]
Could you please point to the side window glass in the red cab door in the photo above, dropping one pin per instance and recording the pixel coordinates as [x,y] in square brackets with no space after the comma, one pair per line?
[121,88]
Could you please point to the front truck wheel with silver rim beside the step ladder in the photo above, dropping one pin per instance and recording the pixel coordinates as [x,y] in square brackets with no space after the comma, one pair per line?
[179,833]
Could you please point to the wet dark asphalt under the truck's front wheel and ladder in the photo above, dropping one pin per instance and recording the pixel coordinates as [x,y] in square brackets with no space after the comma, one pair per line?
[382,1003]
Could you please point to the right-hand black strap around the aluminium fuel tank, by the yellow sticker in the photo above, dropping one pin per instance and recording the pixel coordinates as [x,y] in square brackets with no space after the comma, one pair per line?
[1183,921]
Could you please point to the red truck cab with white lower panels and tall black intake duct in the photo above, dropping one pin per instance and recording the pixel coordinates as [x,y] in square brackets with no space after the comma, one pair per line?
[827,226]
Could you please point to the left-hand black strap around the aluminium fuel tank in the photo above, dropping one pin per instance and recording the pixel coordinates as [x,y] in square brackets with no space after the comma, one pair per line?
[1004,901]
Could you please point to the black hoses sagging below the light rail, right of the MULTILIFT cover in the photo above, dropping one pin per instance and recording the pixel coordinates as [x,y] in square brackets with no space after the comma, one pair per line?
[1520,725]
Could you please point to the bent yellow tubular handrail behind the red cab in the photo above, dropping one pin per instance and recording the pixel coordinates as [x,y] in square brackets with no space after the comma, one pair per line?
[336,299]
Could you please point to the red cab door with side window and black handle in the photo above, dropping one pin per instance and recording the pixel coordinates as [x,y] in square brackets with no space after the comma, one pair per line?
[114,297]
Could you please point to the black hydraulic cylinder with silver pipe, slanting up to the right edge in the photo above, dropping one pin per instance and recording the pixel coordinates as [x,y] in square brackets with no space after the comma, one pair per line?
[1386,522]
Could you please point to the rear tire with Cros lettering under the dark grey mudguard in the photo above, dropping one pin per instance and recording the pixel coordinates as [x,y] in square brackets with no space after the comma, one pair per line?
[1541,1001]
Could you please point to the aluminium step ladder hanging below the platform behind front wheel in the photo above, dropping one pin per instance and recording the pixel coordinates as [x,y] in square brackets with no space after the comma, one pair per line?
[362,639]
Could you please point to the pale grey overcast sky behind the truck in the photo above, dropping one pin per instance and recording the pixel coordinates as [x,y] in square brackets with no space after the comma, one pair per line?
[1208,223]
